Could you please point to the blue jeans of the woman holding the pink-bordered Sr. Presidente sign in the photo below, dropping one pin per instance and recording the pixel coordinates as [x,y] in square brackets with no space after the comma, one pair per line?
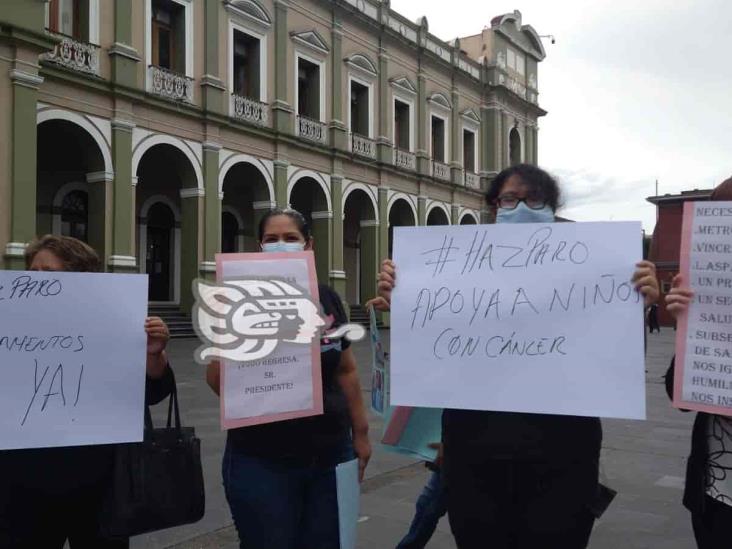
[281,505]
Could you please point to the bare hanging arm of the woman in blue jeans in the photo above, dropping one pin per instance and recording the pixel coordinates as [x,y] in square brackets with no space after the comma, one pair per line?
[351,387]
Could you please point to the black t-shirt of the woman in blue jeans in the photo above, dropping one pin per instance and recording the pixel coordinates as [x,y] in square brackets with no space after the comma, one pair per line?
[315,437]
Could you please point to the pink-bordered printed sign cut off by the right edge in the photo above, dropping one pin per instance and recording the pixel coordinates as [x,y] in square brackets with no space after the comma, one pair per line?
[703,377]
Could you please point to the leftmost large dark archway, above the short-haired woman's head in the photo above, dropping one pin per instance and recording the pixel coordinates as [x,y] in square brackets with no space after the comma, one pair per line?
[70,196]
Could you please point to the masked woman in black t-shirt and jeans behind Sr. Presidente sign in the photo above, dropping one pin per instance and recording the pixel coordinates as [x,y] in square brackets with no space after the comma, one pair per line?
[280,477]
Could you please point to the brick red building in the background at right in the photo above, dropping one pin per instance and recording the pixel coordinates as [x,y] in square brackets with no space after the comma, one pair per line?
[666,240]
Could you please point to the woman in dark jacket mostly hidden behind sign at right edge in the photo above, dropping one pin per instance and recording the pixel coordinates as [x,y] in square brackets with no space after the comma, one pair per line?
[708,492]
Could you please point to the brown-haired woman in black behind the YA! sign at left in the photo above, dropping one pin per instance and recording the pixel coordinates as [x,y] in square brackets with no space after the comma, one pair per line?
[53,495]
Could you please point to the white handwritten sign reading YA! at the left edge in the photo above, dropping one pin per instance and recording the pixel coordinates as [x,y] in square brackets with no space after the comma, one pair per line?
[72,358]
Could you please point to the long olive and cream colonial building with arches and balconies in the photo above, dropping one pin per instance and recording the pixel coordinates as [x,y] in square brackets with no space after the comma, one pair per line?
[160,131]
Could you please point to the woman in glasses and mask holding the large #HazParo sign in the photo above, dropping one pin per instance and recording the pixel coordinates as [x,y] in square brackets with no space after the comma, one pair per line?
[521,481]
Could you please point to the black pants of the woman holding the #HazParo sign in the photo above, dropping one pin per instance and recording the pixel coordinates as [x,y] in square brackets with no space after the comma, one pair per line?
[503,504]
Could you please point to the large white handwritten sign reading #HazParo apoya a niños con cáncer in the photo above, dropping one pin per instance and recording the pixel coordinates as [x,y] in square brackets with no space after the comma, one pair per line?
[519,317]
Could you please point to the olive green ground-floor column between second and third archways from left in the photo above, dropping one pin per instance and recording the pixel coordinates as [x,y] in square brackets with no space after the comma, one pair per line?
[212,209]
